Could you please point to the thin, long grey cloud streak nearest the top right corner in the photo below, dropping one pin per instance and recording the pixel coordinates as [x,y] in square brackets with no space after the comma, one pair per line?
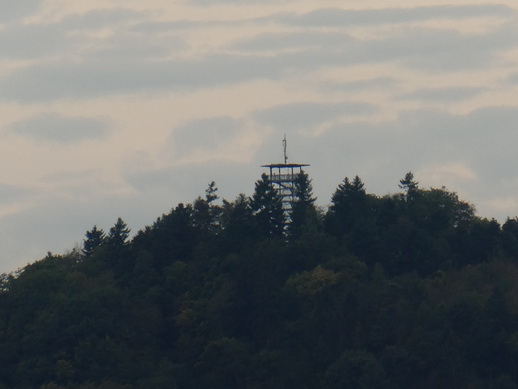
[339,17]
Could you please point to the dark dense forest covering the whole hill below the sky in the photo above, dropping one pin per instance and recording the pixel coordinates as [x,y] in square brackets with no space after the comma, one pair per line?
[405,290]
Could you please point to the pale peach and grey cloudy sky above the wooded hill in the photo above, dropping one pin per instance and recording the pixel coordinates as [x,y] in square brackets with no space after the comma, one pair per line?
[126,108]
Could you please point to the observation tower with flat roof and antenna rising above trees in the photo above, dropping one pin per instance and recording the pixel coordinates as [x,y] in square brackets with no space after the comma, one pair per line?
[283,177]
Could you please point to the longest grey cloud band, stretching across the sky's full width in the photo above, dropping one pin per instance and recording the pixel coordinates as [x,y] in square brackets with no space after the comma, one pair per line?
[100,75]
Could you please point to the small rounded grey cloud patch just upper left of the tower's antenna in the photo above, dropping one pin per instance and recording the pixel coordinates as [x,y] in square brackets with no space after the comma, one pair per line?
[205,134]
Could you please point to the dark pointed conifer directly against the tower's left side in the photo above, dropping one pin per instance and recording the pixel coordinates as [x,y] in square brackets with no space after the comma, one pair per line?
[267,208]
